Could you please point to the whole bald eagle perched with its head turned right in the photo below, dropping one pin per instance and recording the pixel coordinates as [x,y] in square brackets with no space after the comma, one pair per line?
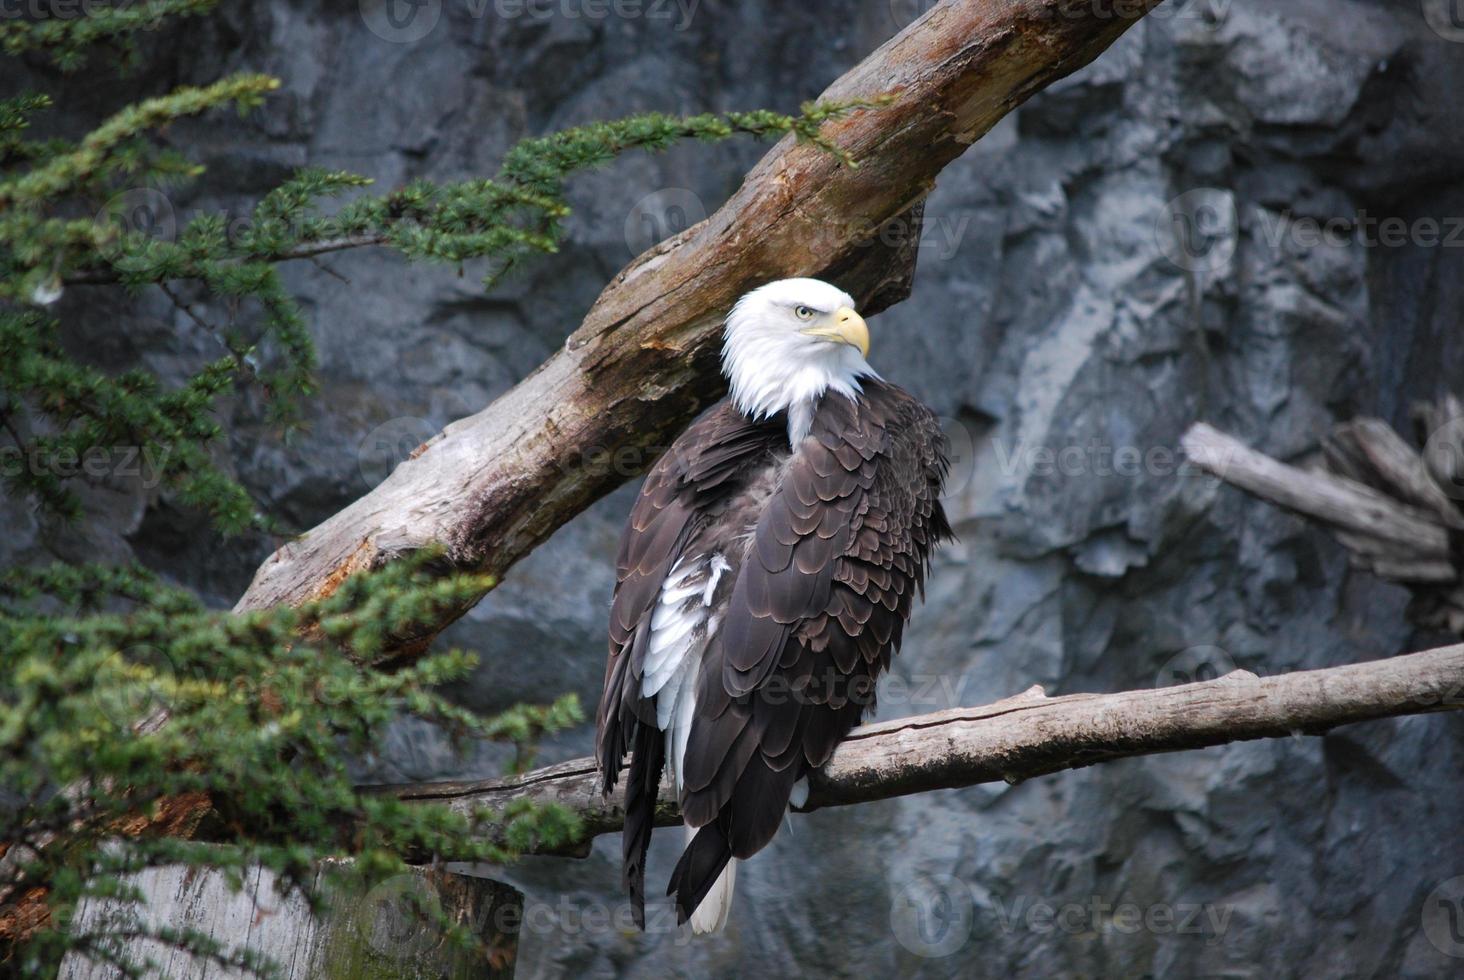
[763,582]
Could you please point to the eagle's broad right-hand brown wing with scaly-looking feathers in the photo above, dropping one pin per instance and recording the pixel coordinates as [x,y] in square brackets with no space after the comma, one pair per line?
[822,597]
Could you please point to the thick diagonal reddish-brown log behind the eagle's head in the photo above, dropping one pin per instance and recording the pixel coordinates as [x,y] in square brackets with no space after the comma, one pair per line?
[491,487]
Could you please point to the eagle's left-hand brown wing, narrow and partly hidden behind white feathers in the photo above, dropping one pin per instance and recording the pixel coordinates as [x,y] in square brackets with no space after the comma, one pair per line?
[702,469]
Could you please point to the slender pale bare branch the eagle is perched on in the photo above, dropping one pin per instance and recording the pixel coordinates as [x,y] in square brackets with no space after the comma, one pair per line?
[1033,735]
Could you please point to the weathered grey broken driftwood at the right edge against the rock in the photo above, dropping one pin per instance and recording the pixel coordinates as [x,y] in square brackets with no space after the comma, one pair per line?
[1396,509]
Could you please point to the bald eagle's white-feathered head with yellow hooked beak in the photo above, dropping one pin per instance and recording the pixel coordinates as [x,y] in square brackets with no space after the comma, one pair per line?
[788,344]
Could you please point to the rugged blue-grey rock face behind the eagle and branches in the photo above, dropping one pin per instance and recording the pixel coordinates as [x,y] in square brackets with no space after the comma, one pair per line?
[1245,213]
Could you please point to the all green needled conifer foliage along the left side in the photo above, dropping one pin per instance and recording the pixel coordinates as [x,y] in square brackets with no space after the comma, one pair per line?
[137,727]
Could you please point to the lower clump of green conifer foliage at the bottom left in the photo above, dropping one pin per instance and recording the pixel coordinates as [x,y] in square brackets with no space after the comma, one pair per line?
[261,714]
